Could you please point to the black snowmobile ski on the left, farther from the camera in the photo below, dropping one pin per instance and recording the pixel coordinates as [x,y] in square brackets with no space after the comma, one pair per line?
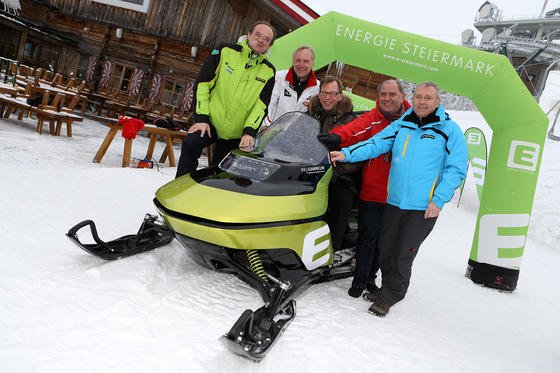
[151,235]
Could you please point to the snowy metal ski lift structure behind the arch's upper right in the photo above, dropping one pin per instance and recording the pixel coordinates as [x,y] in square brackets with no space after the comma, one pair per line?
[531,43]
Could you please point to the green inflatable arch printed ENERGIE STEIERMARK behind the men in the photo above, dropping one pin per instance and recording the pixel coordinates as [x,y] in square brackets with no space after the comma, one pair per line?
[489,80]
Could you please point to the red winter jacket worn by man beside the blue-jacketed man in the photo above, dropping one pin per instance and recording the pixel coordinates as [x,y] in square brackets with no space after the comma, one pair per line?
[375,173]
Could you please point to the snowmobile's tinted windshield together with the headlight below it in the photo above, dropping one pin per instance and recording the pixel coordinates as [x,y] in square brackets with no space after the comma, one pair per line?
[290,140]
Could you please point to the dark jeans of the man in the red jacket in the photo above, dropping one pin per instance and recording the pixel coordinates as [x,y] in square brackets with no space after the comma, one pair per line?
[369,222]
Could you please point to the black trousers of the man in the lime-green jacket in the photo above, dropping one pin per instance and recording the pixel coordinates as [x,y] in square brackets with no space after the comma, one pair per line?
[192,147]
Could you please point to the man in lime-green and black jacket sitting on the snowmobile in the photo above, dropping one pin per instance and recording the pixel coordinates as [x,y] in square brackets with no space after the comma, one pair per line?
[231,96]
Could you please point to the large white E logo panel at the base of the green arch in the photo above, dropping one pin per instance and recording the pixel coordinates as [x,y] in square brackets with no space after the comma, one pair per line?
[500,249]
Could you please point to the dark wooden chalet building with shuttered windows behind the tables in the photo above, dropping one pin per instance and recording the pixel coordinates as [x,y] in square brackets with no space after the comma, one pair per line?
[141,48]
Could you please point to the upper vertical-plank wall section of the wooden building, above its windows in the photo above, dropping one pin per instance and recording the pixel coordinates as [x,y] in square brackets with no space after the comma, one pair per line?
[205,23]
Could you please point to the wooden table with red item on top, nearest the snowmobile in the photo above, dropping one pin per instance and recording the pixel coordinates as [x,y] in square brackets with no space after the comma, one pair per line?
[115,126]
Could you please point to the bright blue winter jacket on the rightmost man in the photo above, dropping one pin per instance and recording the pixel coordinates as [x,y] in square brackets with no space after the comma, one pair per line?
[428,162]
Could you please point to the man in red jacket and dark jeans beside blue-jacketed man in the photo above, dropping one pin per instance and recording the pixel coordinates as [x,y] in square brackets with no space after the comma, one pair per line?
[390,105]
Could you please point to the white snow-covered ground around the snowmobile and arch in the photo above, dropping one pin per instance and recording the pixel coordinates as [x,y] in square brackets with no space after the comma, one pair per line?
[63,310]
